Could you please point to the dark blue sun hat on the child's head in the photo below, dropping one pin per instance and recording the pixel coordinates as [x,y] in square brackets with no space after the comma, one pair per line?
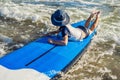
[60,18]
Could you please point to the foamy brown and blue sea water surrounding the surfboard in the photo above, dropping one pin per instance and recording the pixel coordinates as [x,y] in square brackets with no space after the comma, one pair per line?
[22,21]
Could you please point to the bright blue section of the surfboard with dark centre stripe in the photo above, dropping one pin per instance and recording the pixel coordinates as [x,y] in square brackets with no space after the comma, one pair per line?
[44,57]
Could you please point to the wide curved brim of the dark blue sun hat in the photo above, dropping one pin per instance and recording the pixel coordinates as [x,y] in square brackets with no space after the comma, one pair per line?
[61,23]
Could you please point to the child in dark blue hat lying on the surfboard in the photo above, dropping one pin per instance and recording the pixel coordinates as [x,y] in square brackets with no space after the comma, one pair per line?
[60,18]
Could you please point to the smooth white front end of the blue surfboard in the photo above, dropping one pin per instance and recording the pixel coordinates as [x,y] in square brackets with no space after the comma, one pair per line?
[21,74]
